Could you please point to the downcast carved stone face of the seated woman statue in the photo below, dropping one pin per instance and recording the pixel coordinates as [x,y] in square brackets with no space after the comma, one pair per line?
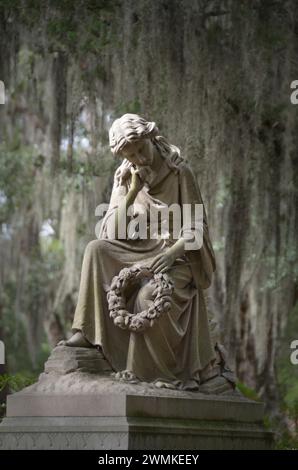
[139,152]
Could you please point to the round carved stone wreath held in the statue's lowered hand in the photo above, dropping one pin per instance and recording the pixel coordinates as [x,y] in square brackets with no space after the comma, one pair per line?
[161,302]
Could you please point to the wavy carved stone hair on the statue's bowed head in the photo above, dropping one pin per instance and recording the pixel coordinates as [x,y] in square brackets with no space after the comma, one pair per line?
[132,127]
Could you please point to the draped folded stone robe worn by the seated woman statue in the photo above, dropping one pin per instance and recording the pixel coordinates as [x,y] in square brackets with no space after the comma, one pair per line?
[178,346]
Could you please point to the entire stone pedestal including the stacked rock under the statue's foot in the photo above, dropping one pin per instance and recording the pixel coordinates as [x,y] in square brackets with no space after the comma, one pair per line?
[72,408]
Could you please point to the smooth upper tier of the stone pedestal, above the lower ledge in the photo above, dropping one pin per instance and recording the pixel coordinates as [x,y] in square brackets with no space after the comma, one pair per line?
[113,402]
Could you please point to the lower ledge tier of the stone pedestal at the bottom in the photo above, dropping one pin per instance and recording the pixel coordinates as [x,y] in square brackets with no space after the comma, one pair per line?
[102,433]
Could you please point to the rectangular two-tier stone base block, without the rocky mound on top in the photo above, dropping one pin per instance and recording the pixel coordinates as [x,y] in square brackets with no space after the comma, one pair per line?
[132,422]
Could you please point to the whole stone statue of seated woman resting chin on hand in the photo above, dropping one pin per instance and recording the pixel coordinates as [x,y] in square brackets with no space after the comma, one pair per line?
[158,331]
